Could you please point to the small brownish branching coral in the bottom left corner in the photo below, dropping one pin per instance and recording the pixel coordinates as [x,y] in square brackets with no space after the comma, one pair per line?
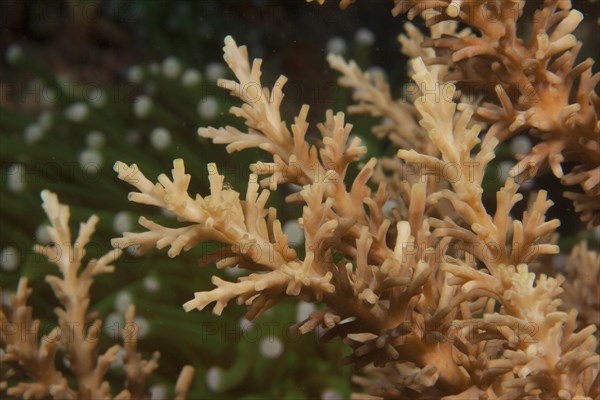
[77,333]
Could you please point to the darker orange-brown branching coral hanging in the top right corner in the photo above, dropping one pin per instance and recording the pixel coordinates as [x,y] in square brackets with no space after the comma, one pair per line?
[539,87]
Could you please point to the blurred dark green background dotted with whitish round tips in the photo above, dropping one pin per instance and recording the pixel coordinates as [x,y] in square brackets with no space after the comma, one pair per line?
[84,83]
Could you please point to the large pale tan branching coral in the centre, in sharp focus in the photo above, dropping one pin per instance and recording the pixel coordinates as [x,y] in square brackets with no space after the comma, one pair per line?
[437,307]
